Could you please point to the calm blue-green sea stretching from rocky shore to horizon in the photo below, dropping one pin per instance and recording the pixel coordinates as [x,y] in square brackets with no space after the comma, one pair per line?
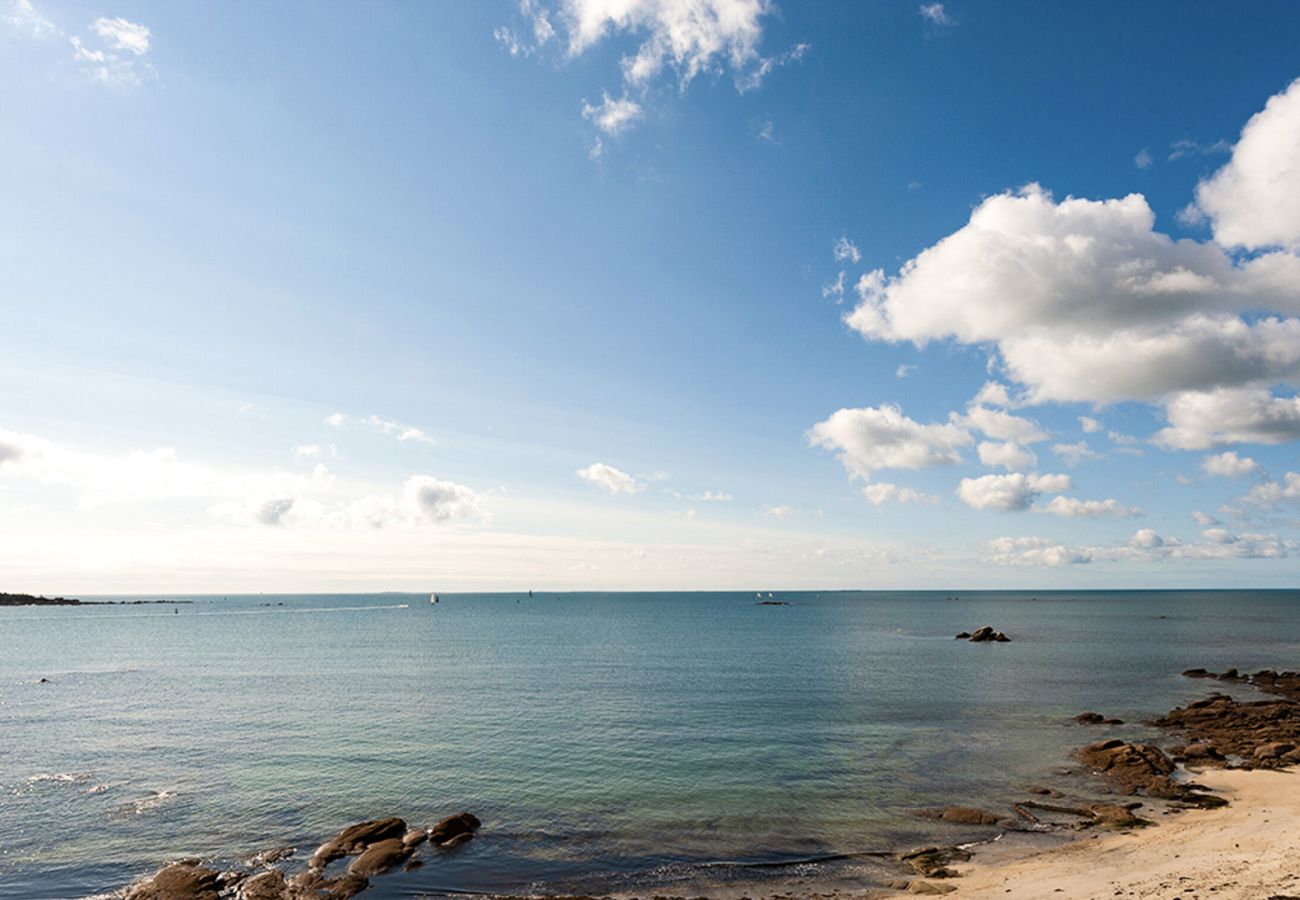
[609,742]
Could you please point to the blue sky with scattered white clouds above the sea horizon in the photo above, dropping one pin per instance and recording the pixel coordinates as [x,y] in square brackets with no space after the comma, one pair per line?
[648,295]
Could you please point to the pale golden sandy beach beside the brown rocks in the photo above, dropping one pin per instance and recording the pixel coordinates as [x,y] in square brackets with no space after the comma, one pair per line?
[1247,851]
